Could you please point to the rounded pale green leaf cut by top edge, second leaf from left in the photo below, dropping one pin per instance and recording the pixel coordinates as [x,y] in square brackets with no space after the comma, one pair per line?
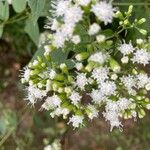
[19,5]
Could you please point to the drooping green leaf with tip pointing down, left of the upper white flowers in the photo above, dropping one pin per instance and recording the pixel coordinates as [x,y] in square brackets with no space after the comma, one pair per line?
[32,29]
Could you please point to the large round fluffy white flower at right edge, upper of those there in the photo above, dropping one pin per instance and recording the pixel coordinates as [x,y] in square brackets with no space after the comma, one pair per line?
[141,56]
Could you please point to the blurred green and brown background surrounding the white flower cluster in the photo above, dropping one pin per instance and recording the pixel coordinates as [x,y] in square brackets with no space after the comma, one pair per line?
[24,127]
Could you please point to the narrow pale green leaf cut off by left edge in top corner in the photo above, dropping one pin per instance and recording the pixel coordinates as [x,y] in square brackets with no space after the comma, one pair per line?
[4,10]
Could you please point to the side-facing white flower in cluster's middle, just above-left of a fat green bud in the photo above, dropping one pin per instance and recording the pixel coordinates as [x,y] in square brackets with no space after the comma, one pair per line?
[98,57]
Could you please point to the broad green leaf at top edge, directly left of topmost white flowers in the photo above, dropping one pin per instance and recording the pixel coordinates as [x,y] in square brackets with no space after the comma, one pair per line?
[37,8]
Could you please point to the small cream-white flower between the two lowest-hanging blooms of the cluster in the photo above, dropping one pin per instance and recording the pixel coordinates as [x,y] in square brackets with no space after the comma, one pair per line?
[93,112]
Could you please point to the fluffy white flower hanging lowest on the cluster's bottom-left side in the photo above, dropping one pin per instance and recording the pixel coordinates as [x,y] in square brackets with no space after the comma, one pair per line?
[76,120]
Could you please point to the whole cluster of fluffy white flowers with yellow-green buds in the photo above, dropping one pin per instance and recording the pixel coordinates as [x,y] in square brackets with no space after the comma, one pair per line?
[101,76]
